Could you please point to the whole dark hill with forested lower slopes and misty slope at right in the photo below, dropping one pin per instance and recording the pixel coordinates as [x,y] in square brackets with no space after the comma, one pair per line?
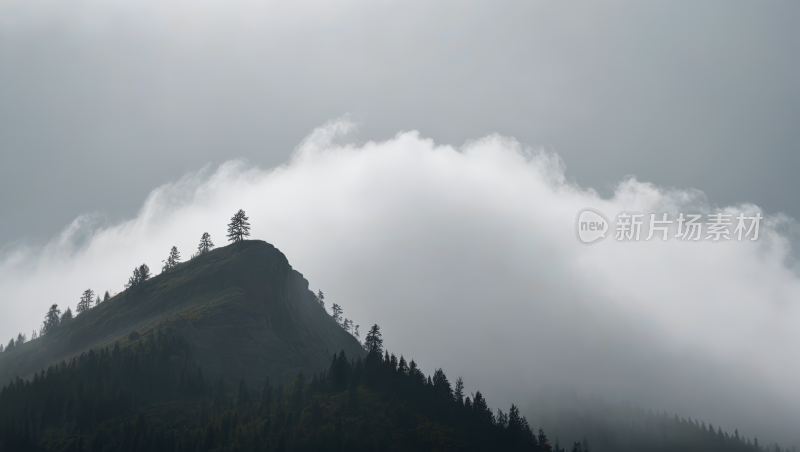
[231,352]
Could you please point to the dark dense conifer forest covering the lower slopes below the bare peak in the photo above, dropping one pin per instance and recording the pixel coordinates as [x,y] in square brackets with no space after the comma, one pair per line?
[149,397]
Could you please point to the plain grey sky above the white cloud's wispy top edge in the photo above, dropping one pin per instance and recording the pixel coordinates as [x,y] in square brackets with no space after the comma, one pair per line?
[102,101]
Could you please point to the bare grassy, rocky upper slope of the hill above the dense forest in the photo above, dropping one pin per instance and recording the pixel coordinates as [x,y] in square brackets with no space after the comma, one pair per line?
[244,309]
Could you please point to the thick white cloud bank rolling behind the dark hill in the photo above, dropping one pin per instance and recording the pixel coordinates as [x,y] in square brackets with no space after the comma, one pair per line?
[467,258]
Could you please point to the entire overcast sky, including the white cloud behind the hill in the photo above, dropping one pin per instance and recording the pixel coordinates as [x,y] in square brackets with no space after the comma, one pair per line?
[423,165]
